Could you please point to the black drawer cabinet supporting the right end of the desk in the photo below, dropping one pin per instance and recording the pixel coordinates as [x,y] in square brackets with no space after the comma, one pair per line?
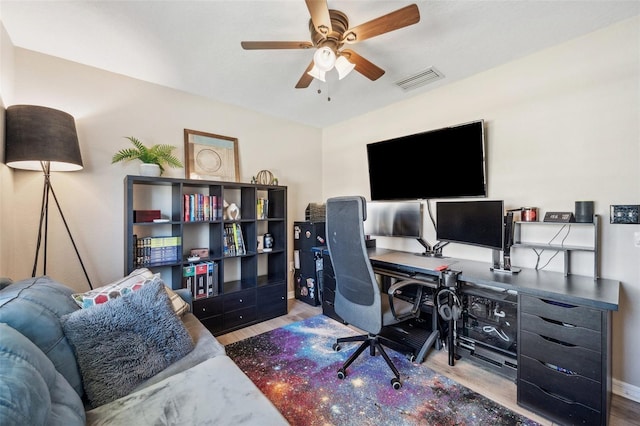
[564,361]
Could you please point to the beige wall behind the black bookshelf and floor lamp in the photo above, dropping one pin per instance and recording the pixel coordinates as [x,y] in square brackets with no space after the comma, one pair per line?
[108,107]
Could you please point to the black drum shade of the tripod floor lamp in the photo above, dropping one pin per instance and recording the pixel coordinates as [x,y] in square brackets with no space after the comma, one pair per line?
[36,134]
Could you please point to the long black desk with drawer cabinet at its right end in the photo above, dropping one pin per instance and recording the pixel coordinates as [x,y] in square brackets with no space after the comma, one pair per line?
[563,332]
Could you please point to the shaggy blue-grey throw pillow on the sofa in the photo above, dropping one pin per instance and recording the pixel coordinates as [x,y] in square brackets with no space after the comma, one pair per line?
[121,343]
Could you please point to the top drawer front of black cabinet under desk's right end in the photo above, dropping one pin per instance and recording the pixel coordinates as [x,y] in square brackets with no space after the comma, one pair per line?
[578,316]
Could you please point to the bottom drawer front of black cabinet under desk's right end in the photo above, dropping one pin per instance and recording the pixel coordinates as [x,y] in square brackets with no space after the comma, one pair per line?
[561,411]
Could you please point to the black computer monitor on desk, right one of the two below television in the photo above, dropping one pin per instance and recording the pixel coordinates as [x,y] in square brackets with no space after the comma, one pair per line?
[479,223]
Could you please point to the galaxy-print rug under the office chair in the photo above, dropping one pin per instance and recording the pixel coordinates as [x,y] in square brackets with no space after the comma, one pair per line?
[296,368]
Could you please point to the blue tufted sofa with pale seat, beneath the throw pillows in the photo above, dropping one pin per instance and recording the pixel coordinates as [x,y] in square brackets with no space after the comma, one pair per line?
[42,380]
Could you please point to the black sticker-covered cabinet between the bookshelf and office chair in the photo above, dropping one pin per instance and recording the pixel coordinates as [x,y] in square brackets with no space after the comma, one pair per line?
[307,235]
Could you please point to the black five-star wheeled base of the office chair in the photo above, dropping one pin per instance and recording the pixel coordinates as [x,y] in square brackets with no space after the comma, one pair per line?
[373,342]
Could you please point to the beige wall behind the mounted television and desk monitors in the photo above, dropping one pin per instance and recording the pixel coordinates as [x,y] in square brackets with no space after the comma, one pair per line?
[562,125]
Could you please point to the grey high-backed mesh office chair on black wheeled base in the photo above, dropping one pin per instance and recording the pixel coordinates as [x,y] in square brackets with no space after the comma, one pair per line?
[359,300]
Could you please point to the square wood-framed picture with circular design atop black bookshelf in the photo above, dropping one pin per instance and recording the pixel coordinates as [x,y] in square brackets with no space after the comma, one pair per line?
[210,157]
